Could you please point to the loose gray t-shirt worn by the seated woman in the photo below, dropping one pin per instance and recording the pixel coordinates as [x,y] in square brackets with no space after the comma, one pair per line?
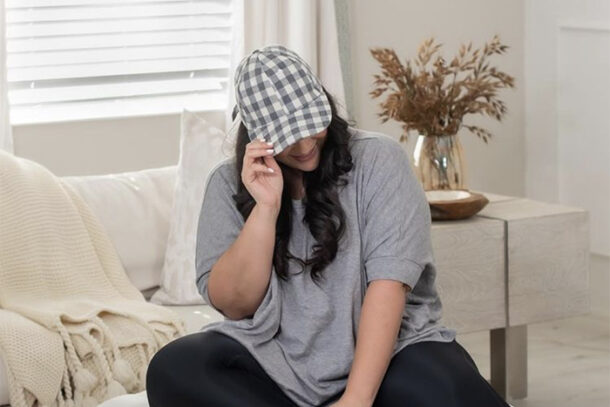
[304,336]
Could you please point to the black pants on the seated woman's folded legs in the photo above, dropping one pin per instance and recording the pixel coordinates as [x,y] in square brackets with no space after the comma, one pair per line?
[209,369]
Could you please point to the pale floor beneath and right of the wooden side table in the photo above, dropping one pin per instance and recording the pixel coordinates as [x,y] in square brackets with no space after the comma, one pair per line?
[568,360]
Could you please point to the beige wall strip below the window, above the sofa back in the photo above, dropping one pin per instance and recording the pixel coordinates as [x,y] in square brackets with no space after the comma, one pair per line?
[104,146]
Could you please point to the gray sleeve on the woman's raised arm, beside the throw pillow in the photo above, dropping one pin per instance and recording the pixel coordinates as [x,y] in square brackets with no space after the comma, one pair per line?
[218,227]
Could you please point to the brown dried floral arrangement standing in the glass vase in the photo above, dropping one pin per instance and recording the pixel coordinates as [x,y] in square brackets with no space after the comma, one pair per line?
[434,101]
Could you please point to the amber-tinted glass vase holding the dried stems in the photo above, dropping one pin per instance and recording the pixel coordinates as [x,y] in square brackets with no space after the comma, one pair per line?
[439,162]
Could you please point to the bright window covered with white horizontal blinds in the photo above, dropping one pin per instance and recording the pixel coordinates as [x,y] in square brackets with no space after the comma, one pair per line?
[86,59]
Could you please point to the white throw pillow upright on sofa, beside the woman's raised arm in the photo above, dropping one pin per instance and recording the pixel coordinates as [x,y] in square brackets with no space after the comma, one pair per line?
[202,147]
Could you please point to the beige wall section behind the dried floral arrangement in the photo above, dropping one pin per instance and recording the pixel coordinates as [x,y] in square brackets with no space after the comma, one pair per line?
[402,25]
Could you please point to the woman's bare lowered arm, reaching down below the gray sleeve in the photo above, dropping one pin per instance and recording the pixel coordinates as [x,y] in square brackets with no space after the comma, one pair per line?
[382,310]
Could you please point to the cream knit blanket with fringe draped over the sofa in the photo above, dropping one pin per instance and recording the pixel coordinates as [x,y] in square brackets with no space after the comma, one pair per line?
[74,331]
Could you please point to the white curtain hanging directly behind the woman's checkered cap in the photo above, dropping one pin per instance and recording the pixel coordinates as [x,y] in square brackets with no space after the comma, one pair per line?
[308,27]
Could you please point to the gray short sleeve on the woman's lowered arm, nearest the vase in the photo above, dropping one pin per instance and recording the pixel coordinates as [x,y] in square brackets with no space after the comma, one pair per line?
[396,237]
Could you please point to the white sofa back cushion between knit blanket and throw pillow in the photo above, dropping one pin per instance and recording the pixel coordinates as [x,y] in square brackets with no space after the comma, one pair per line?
[134,208]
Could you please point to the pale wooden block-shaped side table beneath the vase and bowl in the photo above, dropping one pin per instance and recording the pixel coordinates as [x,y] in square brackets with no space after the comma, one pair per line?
[516,262]
